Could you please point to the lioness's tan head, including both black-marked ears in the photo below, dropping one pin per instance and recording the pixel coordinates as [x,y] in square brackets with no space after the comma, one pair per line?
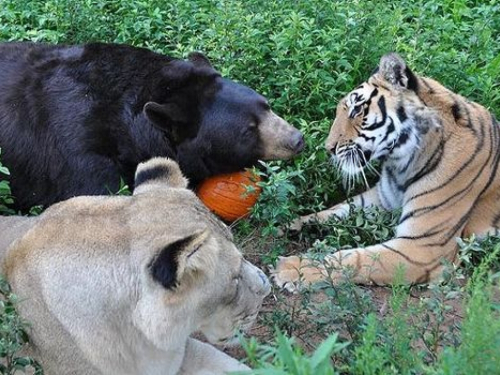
[193,278]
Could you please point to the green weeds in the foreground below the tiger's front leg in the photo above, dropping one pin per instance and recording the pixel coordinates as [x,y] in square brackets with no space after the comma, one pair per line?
[412,336]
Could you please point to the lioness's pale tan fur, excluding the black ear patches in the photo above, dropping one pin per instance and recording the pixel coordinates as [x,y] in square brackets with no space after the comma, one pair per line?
[83,271]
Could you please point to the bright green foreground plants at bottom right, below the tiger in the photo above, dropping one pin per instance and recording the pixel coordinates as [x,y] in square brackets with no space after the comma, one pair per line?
[410,339]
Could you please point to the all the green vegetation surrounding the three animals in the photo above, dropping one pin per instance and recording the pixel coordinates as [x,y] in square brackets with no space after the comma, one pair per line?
[304,55]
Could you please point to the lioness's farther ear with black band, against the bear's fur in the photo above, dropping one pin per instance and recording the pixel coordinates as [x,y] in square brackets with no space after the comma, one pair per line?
[157,172]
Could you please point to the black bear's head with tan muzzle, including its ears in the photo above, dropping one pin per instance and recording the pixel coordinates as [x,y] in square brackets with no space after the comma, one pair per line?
[216,125]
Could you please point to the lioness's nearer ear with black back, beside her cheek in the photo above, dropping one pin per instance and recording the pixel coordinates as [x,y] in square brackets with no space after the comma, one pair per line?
[172,261]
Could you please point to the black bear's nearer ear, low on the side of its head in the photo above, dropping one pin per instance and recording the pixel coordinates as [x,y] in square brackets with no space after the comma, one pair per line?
[168,117]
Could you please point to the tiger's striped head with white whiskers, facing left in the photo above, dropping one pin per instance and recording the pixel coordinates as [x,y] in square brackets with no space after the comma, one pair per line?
[380,118]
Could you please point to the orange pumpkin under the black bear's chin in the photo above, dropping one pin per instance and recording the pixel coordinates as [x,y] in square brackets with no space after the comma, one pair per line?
[226,195]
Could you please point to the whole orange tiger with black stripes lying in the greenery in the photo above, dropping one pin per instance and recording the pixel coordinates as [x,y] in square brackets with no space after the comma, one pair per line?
[439,156]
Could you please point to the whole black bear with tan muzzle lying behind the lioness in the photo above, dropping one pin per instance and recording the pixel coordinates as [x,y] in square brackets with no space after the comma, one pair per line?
[75,120]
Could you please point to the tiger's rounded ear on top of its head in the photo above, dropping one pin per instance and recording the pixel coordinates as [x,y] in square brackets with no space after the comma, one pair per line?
[393,69]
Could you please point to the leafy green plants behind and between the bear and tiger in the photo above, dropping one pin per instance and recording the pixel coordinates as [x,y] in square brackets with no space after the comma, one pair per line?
[303,55]
